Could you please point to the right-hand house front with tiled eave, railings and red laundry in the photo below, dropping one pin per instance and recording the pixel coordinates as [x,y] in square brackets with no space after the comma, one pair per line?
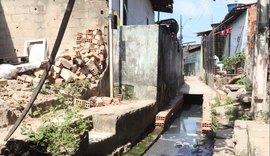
[233,35]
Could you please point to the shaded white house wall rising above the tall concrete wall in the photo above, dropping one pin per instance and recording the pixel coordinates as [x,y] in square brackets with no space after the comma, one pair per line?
[138,12]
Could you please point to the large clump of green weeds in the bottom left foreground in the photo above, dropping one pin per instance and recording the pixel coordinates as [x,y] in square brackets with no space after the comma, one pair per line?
[60,138]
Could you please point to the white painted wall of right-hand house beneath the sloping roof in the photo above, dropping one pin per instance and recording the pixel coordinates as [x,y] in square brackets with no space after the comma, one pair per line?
[239,34]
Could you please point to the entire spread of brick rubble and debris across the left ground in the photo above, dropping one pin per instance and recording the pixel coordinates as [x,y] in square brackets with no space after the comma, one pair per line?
[85,62]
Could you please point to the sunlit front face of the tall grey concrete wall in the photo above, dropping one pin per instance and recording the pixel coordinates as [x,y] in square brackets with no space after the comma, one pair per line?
[136,59]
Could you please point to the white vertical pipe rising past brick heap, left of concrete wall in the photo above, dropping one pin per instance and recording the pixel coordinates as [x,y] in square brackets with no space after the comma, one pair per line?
[111,45]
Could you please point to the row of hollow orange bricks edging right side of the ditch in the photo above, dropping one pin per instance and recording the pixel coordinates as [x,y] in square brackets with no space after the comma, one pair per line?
[206,115]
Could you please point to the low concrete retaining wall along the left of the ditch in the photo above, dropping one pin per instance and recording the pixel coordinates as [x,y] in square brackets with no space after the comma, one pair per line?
[126,126]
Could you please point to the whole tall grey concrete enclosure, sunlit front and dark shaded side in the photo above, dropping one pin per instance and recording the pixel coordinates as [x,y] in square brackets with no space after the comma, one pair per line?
[148,59]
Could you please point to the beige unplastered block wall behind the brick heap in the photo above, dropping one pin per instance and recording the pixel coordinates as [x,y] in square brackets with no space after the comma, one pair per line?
[34,19]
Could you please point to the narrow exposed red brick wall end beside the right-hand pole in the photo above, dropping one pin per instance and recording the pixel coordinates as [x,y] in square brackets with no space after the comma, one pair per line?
[252,15]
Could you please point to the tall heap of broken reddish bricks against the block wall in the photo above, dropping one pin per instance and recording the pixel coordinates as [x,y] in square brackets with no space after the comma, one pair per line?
[85,61]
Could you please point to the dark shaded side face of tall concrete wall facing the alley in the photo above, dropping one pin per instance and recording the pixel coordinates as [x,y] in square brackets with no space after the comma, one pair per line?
[170,68]
